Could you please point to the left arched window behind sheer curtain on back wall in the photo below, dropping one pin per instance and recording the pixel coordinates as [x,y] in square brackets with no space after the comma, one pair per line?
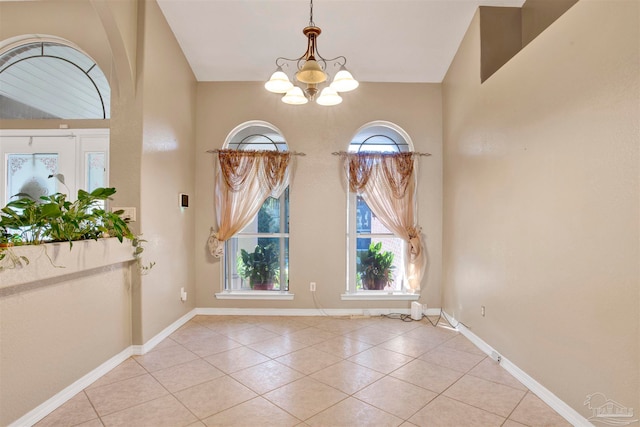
[265,241]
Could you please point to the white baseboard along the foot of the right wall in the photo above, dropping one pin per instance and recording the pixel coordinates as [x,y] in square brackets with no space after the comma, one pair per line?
[564,410]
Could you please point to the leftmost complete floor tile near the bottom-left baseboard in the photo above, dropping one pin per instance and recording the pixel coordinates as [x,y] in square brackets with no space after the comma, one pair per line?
[124,394]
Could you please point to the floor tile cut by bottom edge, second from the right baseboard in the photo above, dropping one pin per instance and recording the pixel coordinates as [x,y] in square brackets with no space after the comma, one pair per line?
[445,412]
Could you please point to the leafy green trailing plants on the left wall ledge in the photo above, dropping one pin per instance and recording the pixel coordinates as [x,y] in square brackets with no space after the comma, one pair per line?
[55,219]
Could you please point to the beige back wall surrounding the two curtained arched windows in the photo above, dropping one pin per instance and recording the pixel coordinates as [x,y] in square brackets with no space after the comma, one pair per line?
[318,201]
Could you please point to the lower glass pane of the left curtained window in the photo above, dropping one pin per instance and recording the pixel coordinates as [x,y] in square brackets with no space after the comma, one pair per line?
[257,263]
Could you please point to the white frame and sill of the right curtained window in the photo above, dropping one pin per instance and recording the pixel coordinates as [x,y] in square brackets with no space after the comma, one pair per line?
[351,292]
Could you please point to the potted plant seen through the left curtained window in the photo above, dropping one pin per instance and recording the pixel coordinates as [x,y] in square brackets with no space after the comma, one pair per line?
[261,267]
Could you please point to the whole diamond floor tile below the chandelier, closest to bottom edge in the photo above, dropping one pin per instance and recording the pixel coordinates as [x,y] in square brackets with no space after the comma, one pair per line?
[305,397]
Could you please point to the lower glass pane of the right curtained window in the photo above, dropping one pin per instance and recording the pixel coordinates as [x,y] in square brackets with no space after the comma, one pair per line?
[379,264]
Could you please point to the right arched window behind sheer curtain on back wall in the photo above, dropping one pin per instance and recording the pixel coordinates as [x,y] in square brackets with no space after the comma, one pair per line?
[367,237]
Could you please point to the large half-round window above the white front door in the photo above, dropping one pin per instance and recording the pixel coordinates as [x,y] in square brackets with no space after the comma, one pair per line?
[48,78]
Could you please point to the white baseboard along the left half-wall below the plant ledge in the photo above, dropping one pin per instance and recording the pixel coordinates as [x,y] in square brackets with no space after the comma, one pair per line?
[44,409]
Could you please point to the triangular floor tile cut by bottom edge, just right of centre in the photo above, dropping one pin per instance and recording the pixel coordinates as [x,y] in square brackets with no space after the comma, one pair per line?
[353,413]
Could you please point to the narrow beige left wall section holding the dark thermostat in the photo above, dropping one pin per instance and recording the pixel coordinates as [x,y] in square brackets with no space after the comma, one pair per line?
[167,169]
